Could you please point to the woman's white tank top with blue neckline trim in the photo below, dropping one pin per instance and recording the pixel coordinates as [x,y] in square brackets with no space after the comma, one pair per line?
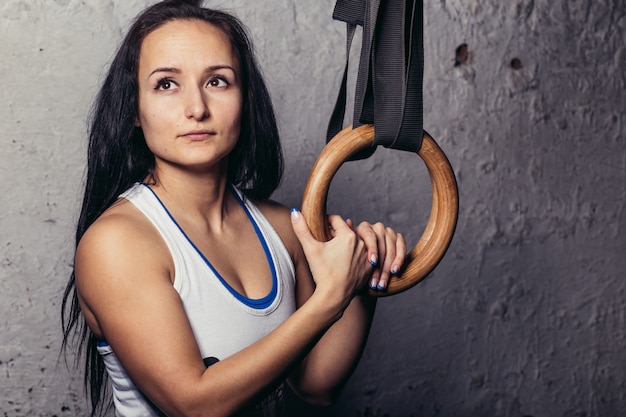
[223,321]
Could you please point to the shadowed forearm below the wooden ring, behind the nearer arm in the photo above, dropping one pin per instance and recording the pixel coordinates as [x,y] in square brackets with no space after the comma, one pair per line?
[326,369]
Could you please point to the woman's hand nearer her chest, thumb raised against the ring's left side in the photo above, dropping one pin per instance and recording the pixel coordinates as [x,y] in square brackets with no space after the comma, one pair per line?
[341,266]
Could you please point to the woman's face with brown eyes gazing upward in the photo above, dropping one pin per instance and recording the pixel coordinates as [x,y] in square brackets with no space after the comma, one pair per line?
[190,96]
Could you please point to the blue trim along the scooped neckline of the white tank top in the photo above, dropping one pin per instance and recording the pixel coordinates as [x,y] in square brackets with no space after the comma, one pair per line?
[260,303]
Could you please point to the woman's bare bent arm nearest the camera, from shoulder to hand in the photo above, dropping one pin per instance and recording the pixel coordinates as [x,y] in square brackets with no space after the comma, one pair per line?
[124,271]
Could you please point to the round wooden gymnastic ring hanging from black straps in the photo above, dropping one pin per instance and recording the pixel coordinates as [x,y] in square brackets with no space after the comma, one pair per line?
[436,238]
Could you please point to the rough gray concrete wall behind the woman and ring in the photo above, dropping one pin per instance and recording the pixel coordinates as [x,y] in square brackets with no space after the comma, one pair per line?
[525,316]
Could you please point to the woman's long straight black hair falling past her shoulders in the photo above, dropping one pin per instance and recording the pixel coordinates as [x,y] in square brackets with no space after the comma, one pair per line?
[118,155]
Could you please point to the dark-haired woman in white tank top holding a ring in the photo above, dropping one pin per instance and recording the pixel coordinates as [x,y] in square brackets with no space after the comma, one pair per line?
[195,293]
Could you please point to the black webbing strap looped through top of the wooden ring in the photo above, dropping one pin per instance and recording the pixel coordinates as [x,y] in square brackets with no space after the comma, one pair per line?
[390,75]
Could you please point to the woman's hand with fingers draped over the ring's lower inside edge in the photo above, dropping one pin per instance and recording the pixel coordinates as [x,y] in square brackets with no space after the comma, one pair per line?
[386,251]
